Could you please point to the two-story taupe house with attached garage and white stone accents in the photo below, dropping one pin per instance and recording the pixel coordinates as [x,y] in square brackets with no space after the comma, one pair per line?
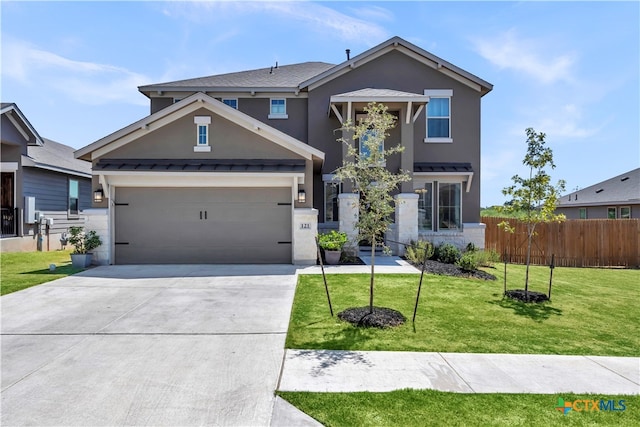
[240,167]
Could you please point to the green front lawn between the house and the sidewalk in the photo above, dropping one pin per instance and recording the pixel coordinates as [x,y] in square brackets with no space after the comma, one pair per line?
[592,312]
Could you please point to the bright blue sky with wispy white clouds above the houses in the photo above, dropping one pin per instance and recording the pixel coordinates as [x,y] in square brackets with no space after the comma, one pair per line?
[569,69]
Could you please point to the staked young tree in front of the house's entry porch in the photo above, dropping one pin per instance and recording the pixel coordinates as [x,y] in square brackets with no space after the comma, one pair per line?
[366,169]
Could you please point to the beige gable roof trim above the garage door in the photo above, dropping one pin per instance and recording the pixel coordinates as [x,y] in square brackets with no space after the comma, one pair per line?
[186,106]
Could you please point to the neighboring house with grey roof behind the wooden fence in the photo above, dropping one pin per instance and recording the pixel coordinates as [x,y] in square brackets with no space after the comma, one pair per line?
[615,198]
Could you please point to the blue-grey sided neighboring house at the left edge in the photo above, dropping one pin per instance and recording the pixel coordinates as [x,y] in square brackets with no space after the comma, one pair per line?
[40,178]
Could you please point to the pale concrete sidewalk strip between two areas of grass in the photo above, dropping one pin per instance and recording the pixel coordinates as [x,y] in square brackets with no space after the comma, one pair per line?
[378,371]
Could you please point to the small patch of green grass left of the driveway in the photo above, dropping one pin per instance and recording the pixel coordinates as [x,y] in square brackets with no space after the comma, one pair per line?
[21,270]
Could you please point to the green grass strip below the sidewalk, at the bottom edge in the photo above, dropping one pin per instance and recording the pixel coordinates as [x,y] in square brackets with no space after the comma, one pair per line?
[428,407]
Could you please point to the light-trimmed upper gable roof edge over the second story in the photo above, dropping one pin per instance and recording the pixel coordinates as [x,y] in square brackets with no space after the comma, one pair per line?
[409,49]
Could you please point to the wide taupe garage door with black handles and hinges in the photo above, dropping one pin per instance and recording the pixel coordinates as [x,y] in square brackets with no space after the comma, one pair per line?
[202,225]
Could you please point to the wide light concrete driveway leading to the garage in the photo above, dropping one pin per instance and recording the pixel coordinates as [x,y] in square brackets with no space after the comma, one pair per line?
[147,345]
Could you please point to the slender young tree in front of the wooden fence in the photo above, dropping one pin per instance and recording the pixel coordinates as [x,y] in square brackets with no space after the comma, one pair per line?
[535,196]
